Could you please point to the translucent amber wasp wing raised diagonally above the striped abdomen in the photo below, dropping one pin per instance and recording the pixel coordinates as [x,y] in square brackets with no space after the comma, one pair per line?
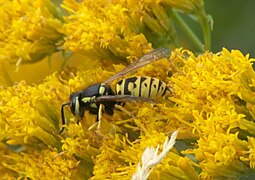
[152,56]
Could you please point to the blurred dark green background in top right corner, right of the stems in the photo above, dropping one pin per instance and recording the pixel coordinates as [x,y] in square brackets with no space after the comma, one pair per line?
[234,25]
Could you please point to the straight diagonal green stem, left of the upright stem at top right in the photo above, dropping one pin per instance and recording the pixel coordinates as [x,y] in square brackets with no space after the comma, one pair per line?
[189,33]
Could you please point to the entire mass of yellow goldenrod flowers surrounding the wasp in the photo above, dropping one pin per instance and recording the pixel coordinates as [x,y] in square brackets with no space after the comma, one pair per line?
[212,103]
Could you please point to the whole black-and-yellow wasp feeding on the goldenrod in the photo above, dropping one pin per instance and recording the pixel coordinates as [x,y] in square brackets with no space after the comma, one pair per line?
[130,89]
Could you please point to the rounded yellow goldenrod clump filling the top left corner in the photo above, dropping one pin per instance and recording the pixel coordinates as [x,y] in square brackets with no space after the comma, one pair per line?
[30,32]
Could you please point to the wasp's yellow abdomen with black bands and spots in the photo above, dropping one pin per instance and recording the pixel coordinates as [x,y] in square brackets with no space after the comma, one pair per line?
[146,87]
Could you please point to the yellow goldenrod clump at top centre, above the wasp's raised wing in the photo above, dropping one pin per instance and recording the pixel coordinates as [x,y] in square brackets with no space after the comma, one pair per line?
[93,28]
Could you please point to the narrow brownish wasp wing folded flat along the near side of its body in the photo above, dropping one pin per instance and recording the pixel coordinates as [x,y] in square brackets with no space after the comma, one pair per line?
[123,98]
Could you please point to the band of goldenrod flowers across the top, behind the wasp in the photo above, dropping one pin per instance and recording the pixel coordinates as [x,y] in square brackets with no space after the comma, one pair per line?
[36,29]
